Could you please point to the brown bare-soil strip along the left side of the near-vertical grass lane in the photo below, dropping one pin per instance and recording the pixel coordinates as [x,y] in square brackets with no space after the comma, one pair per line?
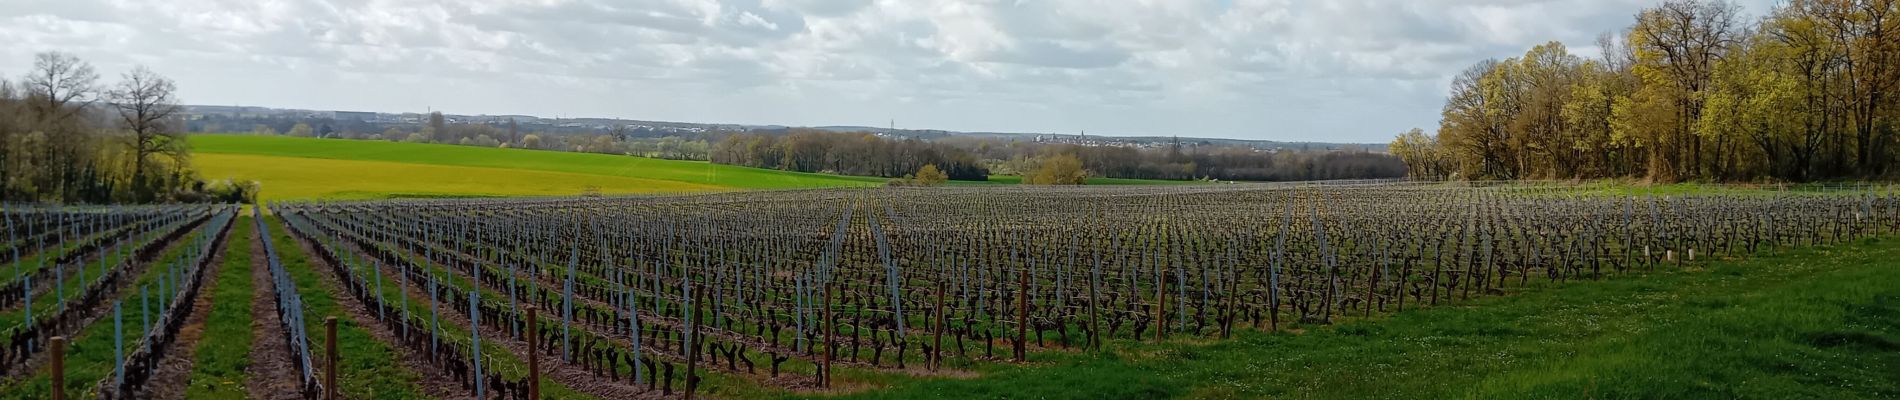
[176,371]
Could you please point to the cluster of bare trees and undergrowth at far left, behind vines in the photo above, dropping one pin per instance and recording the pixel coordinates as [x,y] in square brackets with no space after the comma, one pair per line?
[67,139]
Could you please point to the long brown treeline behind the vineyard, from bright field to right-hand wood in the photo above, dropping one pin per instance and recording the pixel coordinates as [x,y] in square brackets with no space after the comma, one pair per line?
[978,158]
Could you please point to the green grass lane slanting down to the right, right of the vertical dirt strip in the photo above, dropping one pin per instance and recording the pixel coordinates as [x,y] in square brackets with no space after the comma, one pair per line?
[368,369]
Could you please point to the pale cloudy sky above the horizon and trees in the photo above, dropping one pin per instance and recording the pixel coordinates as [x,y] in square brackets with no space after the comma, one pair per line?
[1335,71]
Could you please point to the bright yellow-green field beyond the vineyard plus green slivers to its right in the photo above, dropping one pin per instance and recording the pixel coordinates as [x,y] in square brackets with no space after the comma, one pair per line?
[371,170]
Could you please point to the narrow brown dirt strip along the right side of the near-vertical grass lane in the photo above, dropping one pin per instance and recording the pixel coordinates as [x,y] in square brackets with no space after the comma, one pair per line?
[275,376]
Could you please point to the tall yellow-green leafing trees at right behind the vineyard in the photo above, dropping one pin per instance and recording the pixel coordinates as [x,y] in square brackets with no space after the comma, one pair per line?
[1690,92]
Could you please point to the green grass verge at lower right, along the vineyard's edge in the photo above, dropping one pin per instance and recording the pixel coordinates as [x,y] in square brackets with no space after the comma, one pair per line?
[1815,323]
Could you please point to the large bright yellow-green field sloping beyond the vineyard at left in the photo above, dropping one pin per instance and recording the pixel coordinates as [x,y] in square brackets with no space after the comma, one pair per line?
[698,175]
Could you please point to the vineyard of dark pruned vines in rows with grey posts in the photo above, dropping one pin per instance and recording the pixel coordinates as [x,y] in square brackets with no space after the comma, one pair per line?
[772,293]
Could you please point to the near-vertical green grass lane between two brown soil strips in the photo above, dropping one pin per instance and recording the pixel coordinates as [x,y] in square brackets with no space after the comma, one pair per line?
[225,348]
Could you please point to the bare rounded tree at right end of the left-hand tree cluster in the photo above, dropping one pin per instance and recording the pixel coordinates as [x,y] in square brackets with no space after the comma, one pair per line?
[147,107]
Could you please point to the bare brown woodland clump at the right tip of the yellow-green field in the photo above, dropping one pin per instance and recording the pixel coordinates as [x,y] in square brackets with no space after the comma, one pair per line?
[810,151]
